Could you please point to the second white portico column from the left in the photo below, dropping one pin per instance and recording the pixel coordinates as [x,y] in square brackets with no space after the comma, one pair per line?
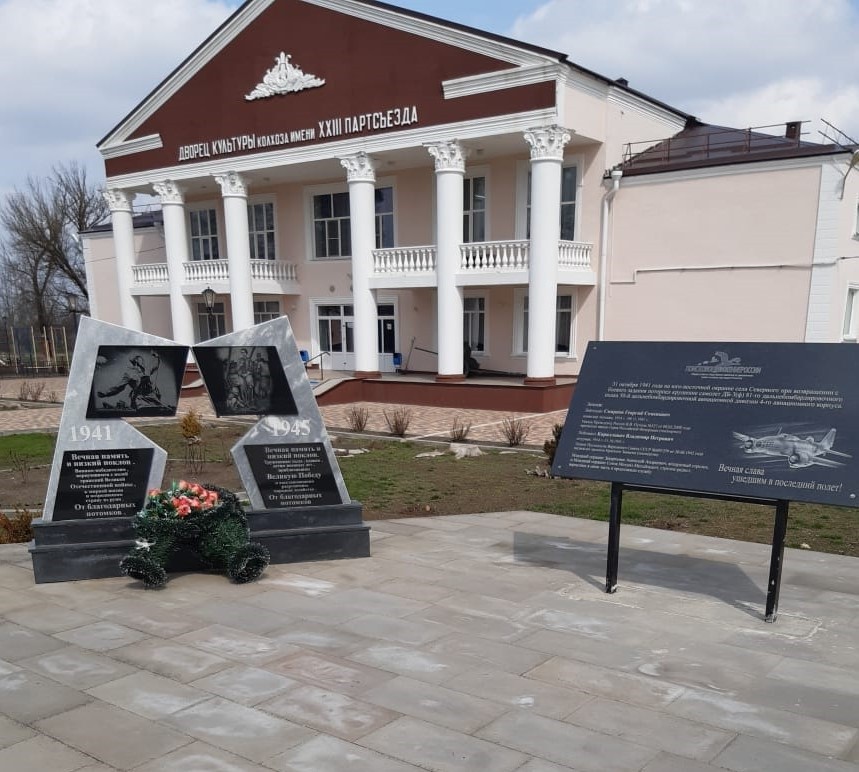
[176,246]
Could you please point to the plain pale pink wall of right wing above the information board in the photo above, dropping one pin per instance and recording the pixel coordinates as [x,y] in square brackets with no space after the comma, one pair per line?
[718,256]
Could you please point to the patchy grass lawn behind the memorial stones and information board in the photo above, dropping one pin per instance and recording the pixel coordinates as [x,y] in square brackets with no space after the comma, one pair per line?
[391,481]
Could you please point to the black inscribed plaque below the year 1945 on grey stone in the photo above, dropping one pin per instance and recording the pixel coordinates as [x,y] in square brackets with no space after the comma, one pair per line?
[293,475]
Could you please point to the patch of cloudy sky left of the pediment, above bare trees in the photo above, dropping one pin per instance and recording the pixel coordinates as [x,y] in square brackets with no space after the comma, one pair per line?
[71,69]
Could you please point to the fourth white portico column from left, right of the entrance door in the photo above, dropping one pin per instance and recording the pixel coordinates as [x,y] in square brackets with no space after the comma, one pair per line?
[361,176]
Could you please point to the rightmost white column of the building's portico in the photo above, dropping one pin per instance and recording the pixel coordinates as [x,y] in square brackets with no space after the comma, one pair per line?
[547,156]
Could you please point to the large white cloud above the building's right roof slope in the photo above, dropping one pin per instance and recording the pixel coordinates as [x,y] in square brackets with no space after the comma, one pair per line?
[735,62]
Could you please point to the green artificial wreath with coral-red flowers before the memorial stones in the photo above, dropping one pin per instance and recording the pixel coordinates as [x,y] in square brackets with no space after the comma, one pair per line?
[209,520]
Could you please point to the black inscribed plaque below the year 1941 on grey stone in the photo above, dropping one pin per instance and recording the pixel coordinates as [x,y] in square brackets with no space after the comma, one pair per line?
[102,483]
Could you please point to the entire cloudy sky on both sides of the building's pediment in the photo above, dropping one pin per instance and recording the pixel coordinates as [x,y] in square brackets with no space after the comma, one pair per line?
[71,69]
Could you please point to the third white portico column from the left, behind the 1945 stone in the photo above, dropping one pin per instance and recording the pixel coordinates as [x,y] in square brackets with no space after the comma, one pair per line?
[235,194]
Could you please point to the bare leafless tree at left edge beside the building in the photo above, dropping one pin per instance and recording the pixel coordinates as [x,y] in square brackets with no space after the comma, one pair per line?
[40,244]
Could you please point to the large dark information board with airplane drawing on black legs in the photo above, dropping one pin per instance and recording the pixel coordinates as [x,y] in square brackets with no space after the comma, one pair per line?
[768,420]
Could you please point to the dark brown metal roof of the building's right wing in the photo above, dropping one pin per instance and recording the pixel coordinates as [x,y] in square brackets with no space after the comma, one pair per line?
[701,145]
